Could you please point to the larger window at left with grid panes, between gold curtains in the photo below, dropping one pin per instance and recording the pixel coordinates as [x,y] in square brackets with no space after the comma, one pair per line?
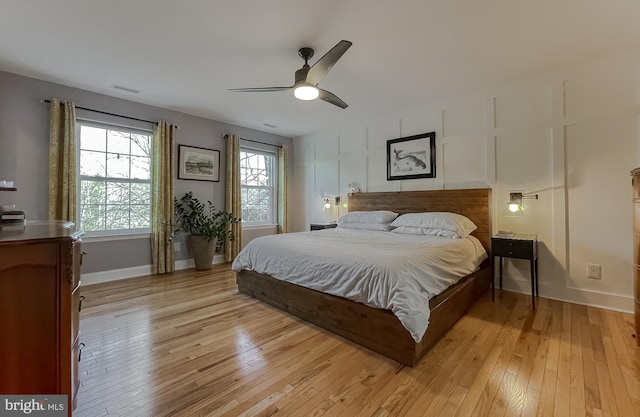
[115,178]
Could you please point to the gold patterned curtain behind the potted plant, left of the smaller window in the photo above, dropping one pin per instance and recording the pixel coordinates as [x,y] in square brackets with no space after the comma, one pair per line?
[233,202]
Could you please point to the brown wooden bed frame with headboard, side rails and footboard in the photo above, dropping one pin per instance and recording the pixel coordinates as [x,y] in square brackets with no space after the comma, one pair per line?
[379,329]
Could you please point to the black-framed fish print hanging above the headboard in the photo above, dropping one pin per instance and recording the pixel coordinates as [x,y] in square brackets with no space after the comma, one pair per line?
[412,157]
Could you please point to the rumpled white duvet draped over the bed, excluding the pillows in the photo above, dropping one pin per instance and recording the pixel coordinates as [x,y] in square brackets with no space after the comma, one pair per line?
[385,270]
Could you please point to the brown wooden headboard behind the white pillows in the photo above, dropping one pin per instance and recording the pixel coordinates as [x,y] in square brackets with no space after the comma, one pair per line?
[473,203]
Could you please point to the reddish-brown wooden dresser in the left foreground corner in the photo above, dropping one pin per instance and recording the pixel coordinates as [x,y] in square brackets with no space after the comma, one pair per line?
[39,309]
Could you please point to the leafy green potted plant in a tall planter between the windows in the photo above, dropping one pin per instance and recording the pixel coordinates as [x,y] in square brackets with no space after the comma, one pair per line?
[207,227]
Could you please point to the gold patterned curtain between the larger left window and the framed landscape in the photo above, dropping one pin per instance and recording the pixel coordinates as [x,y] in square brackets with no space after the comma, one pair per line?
[162,208]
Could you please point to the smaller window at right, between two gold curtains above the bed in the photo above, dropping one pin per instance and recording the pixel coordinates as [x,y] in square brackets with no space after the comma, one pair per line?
[258,181]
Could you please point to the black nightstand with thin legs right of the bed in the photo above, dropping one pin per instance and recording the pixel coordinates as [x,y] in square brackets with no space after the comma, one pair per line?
[518,246]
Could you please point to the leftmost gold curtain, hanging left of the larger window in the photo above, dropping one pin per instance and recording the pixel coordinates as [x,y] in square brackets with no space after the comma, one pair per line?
[62,161]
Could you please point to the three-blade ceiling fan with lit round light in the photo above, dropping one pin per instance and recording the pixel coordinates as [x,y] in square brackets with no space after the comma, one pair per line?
[307,78]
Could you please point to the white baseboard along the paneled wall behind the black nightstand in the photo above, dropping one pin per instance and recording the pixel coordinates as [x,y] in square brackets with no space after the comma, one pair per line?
[615,302]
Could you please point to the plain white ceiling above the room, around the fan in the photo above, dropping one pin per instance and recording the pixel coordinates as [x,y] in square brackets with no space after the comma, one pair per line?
[184,55]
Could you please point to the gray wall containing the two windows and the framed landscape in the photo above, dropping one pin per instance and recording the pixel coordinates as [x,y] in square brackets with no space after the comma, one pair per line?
[24,138]
